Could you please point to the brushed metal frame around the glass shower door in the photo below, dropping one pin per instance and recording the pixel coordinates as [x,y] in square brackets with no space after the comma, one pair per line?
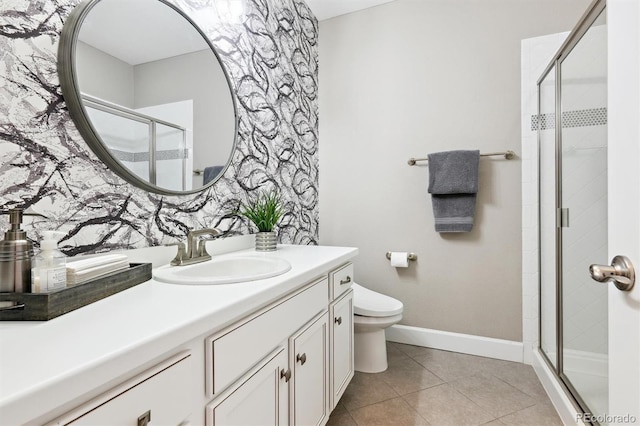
[586,21]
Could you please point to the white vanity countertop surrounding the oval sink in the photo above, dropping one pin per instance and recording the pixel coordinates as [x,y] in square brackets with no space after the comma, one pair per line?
[46,364]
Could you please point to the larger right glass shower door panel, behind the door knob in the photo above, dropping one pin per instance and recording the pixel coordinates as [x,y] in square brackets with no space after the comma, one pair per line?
[582,217]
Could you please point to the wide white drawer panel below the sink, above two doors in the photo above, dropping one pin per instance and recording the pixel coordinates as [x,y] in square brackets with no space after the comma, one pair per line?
[235,350]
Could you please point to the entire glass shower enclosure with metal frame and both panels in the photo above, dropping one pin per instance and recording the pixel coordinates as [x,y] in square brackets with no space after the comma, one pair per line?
[572,153]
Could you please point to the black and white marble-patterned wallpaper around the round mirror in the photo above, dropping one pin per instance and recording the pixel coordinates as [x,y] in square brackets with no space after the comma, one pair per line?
[270,53]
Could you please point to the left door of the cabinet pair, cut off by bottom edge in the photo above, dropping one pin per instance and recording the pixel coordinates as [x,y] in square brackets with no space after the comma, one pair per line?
[258,398]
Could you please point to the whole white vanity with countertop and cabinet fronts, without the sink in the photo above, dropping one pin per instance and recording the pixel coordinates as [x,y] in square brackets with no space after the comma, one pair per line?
[277,351]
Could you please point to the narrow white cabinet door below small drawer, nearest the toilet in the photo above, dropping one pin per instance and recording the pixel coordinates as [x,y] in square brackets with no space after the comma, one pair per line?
[341,345]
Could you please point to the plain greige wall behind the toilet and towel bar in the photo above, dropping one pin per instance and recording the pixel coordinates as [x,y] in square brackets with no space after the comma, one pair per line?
[412,77]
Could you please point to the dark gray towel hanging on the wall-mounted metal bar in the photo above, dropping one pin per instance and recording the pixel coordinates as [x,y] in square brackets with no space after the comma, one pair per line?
[453,184]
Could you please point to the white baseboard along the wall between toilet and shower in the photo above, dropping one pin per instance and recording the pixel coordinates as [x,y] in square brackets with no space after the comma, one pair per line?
[456,342]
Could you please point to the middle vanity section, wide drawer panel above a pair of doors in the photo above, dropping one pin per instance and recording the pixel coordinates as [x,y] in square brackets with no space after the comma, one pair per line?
[272,368]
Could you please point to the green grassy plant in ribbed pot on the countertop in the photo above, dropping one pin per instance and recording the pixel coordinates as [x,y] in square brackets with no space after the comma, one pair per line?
[264,211]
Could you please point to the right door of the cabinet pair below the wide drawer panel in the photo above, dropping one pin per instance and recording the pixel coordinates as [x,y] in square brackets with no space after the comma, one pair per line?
[309,355]
